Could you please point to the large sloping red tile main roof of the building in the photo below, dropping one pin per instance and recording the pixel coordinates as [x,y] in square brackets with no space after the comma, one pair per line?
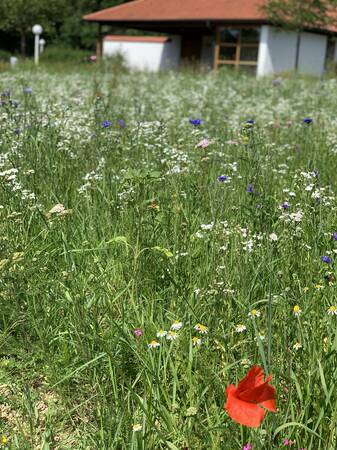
[181,10]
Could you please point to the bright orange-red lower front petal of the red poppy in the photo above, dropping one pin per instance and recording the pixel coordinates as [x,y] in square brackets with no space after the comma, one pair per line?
[248,414]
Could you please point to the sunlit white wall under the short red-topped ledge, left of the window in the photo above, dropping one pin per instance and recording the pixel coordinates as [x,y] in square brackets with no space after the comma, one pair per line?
[151,56]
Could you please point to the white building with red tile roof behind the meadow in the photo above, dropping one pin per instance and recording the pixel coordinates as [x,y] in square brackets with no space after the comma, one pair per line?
[214,33]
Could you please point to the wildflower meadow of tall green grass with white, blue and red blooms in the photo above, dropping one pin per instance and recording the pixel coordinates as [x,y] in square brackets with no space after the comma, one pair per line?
[168,261]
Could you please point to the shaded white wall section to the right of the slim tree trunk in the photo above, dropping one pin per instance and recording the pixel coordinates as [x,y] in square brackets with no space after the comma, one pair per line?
[312,53]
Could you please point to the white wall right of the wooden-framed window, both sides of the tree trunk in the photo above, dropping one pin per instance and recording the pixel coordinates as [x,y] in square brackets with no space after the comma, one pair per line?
[277,52]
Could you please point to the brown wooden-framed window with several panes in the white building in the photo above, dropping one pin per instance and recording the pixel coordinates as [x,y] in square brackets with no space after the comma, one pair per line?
[237,47]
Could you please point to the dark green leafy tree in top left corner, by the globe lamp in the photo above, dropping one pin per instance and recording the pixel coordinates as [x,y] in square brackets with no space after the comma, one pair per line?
[21,15]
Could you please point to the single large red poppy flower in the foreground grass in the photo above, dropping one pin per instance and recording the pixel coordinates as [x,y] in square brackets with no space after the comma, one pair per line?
[246,403]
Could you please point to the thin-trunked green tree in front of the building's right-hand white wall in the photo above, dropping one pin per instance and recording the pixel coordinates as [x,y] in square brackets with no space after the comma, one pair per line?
[299,15]
